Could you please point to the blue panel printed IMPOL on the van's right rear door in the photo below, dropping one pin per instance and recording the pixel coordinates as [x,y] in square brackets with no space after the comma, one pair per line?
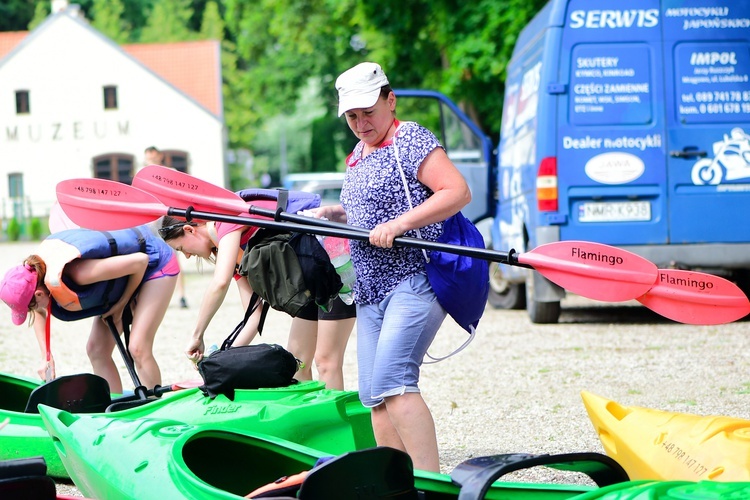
[711,82]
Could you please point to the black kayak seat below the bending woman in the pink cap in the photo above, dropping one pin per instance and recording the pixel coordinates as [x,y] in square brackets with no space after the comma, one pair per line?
[80,393]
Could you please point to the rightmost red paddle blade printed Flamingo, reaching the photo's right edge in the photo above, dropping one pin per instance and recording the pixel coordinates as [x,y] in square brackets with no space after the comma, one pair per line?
[696,298]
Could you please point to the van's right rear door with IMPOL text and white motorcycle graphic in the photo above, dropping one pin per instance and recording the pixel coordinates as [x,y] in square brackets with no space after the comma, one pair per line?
[707,49]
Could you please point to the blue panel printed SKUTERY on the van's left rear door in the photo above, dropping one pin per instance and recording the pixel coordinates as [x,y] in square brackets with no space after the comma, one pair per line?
[611,84]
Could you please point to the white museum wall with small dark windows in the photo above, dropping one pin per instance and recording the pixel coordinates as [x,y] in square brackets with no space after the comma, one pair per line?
[64,64]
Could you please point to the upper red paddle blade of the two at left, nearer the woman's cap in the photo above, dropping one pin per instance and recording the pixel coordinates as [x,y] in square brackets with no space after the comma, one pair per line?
[180,190]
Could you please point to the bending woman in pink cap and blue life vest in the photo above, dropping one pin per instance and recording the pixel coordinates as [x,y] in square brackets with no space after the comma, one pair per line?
[80,273]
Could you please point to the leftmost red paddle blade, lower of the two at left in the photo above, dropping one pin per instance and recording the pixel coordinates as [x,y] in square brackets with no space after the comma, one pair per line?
[107,205]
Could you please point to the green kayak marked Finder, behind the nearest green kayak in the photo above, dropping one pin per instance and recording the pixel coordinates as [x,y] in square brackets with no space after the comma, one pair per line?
[307,413]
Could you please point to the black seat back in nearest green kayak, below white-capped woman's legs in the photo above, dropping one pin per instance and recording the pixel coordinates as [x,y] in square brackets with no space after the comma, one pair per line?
[380,472]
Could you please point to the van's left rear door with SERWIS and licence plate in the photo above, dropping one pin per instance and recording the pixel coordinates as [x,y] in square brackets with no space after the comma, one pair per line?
[611,166]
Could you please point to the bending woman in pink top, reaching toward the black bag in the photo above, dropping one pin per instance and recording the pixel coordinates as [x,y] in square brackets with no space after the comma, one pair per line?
[314,333]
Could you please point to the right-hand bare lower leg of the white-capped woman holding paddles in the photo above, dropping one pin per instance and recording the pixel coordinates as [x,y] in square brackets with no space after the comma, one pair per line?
[413,422]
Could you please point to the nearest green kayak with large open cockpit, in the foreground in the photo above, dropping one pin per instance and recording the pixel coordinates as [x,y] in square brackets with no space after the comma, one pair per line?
[169,459]
